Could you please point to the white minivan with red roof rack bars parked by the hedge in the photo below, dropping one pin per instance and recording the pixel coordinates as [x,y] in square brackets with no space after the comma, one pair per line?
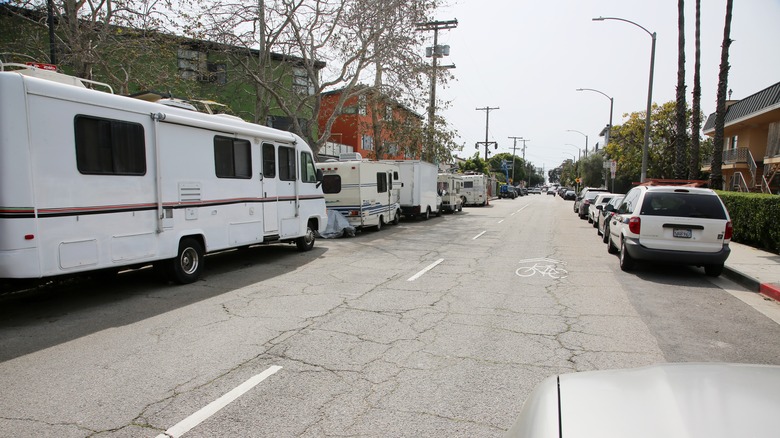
[671,224]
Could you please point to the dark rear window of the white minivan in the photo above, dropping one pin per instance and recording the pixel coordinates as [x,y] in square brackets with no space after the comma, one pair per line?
[683,205]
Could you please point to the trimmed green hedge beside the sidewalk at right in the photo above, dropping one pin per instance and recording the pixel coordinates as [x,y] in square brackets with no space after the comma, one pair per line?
[756,219]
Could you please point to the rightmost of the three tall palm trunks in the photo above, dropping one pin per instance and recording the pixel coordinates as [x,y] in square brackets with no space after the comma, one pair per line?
[716,177]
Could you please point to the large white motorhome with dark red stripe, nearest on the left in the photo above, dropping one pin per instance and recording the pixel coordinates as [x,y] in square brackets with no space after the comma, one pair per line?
[90,180]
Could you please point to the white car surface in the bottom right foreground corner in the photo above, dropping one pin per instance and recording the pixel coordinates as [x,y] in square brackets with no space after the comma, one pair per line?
[713,400]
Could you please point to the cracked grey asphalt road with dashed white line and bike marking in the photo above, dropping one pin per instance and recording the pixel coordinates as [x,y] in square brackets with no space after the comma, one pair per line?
[430,328]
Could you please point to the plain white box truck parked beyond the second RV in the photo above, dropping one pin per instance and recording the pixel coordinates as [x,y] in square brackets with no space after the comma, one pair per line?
[418,190]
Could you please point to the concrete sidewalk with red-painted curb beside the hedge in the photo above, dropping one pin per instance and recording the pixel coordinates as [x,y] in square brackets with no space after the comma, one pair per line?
[757,270]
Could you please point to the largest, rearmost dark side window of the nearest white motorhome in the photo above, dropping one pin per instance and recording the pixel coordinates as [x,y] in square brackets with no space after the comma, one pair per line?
[109,147]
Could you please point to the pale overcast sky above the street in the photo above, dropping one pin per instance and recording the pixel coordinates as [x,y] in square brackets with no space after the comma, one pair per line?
[528,57]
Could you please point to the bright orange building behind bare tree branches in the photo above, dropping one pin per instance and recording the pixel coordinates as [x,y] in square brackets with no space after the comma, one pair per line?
[401,128]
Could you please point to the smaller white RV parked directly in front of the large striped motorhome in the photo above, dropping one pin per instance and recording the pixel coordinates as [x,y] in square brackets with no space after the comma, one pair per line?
[366,193]
